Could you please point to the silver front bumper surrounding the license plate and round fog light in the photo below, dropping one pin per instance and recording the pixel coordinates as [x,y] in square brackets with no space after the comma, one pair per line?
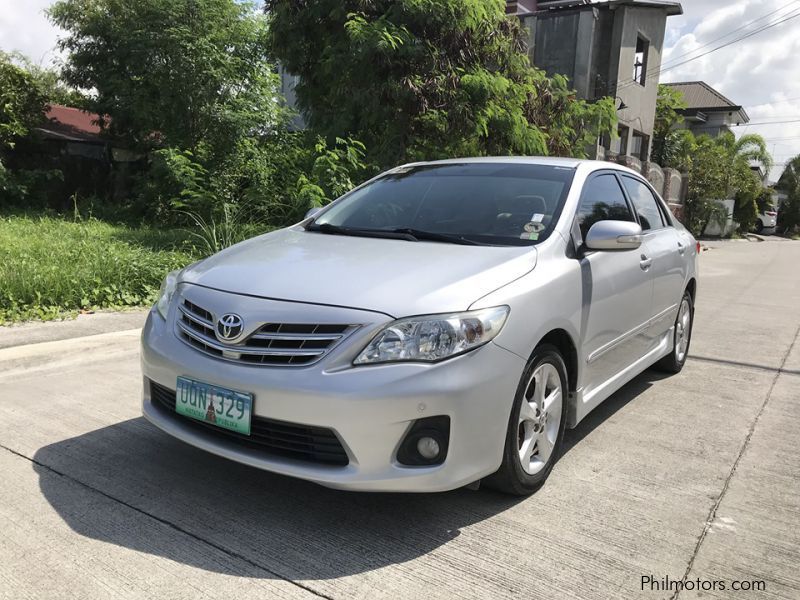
[370,409]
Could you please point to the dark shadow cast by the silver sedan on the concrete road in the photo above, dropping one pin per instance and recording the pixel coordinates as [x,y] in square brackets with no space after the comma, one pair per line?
[130,485]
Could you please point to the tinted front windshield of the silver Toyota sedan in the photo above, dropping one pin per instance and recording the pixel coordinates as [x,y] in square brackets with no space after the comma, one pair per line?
[482,203]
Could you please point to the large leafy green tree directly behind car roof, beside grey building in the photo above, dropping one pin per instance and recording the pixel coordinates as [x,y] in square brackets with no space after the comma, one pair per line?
[416,79]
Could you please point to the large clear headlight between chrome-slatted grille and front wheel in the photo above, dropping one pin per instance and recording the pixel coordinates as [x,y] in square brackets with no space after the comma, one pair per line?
[433,337]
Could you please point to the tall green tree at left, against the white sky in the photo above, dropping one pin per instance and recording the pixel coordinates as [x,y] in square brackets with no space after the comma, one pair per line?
[189,83]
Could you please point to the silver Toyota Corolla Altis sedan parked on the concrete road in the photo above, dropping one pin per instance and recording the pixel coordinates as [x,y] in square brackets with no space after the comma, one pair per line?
[439,325]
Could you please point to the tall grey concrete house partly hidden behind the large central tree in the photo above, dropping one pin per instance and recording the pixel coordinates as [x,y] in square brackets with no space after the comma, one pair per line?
[610,48]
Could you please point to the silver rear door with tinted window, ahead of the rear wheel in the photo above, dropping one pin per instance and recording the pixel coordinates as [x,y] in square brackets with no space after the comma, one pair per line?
[667,251]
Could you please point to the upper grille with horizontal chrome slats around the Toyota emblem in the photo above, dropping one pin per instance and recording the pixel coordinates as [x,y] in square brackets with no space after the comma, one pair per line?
[292,344]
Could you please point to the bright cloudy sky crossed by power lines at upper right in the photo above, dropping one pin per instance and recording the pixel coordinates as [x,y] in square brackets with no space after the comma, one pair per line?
[761,73]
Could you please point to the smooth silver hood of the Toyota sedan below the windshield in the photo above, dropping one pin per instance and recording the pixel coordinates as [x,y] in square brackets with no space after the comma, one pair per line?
[394,277]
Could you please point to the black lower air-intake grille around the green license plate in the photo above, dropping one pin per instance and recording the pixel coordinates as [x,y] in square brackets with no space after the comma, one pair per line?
[275,438]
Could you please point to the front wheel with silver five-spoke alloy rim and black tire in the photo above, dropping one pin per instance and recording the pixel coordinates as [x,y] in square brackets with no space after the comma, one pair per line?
[536,426]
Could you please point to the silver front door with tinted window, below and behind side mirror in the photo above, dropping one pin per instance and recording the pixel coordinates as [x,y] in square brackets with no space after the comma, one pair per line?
[617,289]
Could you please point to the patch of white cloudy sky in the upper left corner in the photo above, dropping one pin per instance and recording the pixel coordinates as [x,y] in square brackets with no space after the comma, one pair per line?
[24,27]
